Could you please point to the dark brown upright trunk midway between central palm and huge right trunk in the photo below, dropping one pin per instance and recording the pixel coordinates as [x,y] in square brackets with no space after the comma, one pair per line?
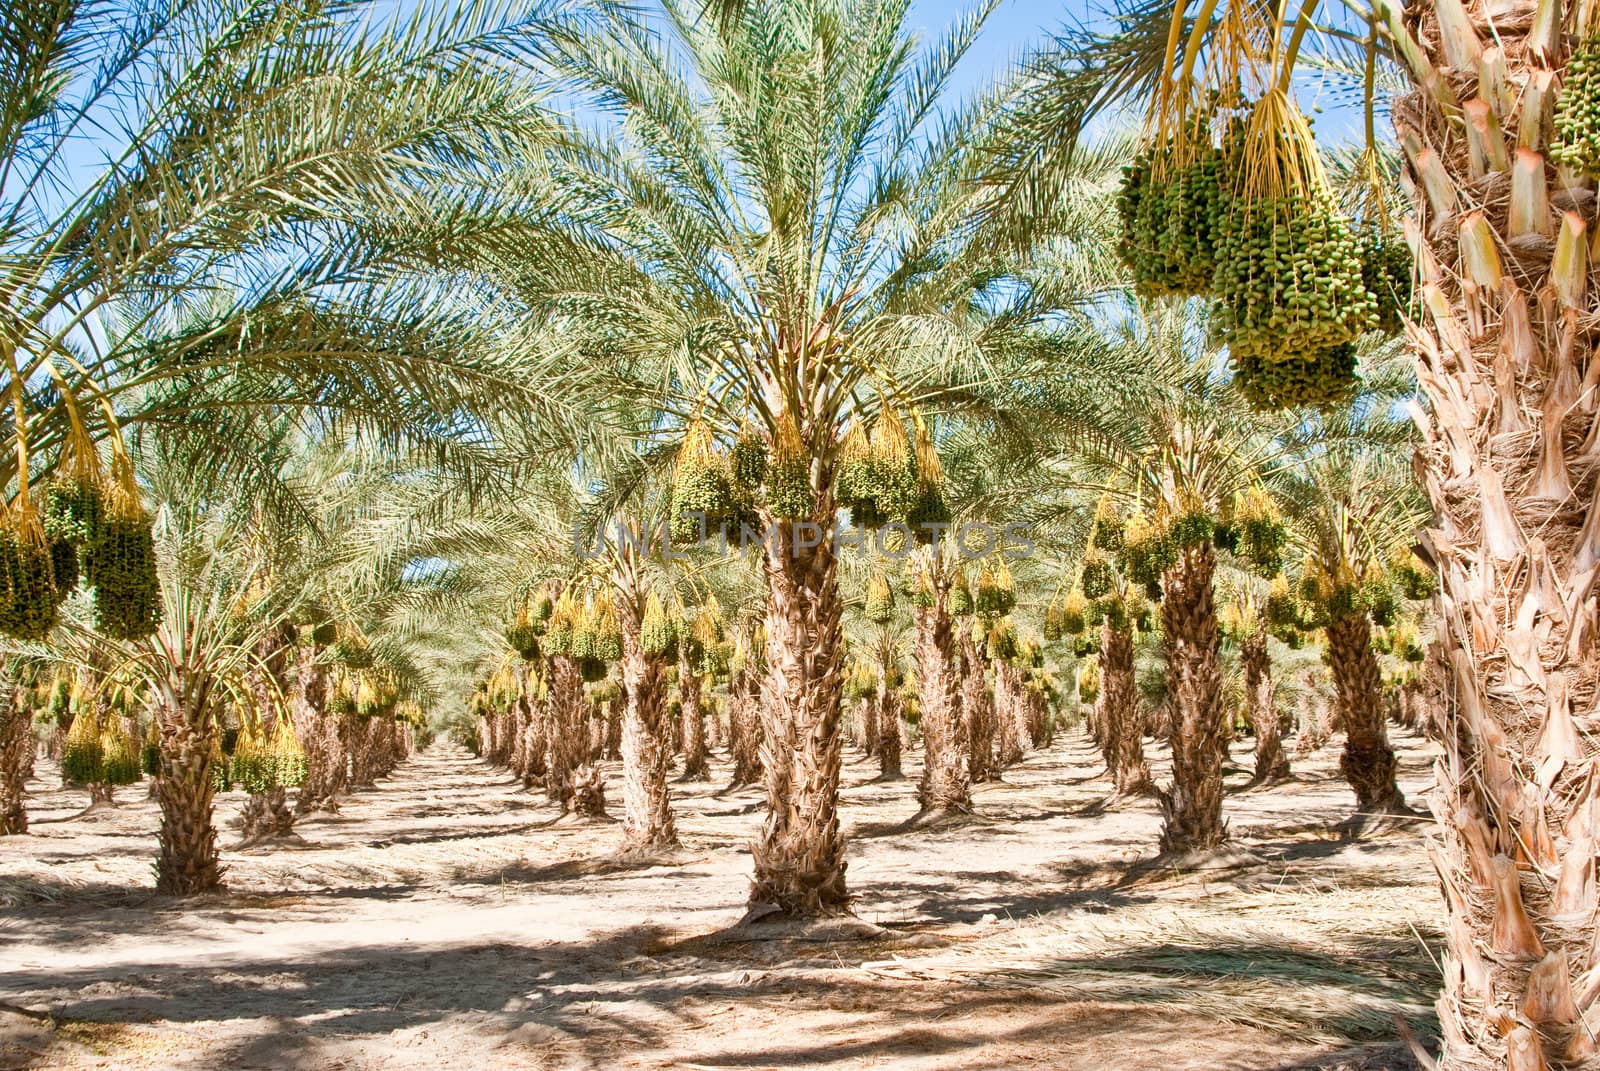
[1193,808]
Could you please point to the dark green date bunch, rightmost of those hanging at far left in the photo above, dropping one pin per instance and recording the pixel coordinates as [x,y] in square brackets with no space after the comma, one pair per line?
[121,561]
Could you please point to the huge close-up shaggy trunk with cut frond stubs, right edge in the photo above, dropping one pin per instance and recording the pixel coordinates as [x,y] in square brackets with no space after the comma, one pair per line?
[1505,355]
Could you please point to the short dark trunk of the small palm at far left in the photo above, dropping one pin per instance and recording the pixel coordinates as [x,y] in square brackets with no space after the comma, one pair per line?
[188,860]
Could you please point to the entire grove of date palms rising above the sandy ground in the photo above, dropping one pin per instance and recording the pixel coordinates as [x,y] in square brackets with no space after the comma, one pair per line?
[716,380]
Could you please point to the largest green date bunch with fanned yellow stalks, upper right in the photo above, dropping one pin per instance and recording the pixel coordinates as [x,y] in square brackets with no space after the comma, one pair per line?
[1289,286]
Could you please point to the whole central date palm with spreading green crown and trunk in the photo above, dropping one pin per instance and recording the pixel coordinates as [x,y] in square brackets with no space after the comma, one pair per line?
[775,235]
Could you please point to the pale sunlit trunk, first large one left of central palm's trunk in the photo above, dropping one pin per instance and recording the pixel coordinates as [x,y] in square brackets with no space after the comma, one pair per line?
[647,801]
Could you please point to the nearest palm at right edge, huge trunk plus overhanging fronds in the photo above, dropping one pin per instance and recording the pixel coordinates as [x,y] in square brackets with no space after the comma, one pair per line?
[1502,340]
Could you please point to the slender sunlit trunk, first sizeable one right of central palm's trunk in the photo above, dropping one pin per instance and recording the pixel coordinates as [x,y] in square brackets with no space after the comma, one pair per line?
[946,768]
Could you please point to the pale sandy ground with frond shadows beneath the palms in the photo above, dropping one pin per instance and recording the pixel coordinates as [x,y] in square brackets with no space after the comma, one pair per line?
[449,921]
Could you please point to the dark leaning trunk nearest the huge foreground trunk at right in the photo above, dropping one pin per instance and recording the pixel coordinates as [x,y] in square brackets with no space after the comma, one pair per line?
[1369,761]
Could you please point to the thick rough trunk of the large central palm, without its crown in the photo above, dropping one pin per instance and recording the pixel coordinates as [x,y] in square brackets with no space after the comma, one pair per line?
[801,852]
